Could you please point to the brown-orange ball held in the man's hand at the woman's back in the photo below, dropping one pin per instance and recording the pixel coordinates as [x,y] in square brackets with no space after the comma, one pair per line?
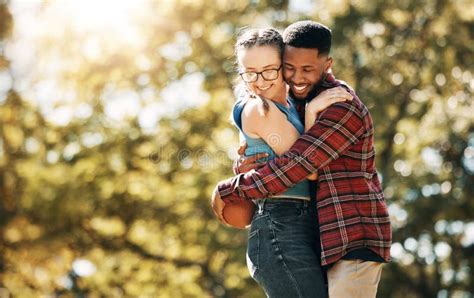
[239,215]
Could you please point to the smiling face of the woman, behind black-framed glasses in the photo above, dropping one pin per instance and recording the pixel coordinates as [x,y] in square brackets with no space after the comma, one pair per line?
[263,58]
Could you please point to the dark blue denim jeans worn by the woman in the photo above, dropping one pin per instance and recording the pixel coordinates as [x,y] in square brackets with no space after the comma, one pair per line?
[283,251]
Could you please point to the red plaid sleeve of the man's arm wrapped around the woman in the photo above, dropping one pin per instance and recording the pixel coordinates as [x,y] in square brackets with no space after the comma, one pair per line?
[335,130]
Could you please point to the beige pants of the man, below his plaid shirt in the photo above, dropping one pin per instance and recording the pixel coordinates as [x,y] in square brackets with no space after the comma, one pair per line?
[354,278]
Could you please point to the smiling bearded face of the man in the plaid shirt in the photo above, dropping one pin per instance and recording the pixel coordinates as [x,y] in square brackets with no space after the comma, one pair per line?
[303,70]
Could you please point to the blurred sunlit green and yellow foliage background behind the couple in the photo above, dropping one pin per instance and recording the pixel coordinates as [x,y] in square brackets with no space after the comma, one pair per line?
[114,129]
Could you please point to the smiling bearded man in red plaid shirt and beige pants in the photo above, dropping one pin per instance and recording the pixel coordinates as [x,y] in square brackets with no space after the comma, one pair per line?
[353,220]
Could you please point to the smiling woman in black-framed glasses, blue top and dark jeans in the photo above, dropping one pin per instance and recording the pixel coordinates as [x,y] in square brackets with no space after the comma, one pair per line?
[283,247]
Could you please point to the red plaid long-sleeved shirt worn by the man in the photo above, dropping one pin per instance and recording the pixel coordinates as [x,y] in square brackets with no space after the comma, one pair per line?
[340,147]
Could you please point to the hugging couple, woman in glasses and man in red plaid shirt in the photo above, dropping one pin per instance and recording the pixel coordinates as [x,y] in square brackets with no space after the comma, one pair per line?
[321,226]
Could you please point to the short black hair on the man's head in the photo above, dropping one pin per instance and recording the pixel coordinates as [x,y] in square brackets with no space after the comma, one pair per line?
[308,34]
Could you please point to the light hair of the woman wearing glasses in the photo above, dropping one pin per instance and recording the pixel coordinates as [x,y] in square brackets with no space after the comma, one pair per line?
[249,38]
